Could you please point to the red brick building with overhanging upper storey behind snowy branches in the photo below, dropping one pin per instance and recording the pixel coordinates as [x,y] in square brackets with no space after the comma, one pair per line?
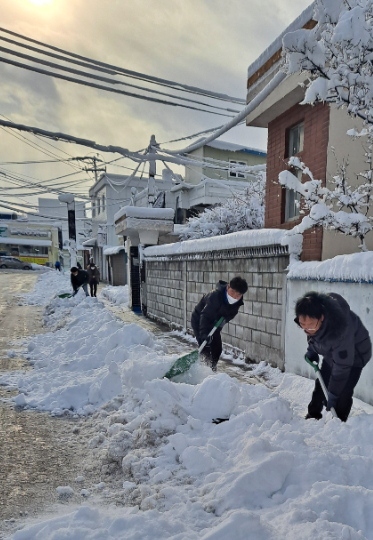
[315,134]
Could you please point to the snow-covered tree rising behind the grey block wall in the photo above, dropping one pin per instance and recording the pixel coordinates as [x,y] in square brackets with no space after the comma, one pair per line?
[243,210]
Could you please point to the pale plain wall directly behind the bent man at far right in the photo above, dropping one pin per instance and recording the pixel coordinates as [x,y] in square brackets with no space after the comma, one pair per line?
[360,298]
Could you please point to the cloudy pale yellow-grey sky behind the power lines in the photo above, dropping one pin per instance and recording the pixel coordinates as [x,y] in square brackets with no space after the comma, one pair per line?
[204,43]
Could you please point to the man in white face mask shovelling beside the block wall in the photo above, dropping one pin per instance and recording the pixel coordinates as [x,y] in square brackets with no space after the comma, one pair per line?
[224,301]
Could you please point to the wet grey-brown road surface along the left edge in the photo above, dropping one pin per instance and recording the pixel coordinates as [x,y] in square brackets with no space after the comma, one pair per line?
[37,452]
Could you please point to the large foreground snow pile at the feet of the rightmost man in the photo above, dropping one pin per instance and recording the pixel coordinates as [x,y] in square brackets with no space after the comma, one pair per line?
[265,474]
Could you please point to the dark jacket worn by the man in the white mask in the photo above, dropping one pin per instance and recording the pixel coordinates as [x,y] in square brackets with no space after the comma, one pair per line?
[210,309]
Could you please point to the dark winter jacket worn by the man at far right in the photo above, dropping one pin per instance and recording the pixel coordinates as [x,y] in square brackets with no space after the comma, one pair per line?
[342,340]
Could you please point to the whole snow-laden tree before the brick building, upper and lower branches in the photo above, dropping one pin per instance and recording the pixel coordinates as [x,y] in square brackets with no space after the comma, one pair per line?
[337,54]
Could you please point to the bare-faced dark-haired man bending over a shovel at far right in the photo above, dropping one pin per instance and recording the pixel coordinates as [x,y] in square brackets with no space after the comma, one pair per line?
[336,333]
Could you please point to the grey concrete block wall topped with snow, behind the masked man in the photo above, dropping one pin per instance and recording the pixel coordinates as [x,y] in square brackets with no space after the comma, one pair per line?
[178,275]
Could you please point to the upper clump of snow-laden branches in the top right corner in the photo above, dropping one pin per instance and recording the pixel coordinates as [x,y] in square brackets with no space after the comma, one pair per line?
[338,55]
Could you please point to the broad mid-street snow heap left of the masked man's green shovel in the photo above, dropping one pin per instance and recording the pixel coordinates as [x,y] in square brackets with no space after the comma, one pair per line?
[88,362]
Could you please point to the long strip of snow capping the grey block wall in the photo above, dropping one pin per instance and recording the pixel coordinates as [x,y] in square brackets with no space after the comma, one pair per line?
[241,239]
